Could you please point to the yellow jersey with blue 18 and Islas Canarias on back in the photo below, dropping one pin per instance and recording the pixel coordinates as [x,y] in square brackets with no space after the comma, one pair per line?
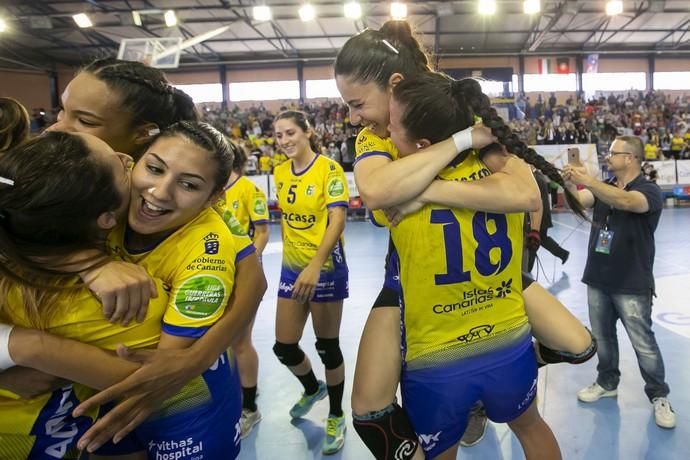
[460,272]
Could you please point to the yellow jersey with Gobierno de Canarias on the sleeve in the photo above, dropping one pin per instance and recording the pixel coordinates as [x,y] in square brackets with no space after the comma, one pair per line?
[196,264]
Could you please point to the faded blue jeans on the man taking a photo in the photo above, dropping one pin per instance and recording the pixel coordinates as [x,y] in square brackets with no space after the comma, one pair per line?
[635,312]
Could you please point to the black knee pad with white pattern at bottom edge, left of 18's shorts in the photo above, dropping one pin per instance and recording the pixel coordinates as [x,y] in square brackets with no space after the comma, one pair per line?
[387,433]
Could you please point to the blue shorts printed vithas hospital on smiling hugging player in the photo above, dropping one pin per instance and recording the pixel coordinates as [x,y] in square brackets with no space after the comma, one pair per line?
[208,430]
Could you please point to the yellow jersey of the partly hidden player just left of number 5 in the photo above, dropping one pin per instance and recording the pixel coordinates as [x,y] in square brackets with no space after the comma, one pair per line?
[246,202]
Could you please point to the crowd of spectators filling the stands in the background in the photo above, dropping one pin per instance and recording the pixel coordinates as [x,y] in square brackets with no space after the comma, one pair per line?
[661,120]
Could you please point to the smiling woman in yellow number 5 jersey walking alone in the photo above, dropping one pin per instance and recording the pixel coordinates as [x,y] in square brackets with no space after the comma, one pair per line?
[313,198]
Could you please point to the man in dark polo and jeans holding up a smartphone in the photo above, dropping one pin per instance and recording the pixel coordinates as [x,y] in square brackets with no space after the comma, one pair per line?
[619,271]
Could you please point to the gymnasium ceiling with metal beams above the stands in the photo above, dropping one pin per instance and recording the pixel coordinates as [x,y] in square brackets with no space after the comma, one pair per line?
[41,33]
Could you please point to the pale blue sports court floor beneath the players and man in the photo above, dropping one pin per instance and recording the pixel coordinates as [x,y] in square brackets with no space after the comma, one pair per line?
[613,428]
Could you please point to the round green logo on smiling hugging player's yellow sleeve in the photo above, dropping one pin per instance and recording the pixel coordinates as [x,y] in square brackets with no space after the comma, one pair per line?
[200,297]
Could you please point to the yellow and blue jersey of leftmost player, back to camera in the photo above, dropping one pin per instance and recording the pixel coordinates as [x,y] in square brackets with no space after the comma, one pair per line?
[37,427]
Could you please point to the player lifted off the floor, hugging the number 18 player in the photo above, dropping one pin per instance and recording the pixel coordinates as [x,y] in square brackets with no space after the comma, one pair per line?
[367,68]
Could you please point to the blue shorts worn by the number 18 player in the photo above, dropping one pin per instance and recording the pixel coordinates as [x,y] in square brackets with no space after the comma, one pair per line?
[438,400]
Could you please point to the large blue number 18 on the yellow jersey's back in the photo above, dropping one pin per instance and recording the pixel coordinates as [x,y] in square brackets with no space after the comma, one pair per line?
[485,243]
